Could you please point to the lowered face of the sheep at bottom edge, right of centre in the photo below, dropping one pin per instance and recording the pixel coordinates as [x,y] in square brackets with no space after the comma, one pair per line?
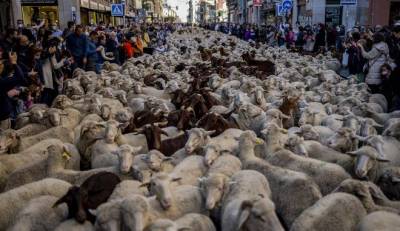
[258,214]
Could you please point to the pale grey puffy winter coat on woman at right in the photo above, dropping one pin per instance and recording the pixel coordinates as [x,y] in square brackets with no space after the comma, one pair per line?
[376,57]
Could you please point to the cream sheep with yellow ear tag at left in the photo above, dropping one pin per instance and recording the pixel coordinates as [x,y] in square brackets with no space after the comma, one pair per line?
[44,168]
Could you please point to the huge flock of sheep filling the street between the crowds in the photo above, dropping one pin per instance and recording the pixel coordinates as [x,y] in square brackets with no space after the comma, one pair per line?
[215,134]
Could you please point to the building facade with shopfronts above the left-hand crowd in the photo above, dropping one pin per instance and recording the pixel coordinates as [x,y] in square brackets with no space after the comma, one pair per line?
[62,11]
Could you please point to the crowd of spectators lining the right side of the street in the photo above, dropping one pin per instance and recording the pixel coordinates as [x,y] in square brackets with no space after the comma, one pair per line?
[372,54]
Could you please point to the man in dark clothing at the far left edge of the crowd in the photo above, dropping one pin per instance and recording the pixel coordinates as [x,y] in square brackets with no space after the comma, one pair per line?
[11,76]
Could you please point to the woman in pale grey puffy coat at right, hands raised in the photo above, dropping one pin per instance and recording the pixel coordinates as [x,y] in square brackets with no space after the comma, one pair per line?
[376,57]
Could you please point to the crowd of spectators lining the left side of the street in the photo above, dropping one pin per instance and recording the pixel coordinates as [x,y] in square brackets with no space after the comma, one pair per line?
[35,61]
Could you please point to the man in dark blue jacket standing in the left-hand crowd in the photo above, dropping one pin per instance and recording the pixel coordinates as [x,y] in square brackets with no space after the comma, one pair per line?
[77,45]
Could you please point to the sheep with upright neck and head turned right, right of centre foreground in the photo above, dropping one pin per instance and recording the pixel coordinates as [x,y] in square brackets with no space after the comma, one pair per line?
[302,190]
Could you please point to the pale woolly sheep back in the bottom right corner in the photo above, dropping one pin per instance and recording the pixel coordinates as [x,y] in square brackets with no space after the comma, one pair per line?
[380,220]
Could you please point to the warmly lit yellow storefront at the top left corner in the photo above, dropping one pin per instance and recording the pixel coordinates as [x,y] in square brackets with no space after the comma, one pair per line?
[35,10]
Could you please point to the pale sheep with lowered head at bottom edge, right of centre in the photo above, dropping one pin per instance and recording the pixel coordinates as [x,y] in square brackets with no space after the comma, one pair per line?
[248,204]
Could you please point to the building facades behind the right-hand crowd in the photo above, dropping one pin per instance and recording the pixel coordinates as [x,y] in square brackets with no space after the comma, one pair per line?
[309,12]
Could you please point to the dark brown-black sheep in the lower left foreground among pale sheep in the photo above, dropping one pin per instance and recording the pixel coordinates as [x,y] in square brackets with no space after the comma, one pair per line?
[92,193]
